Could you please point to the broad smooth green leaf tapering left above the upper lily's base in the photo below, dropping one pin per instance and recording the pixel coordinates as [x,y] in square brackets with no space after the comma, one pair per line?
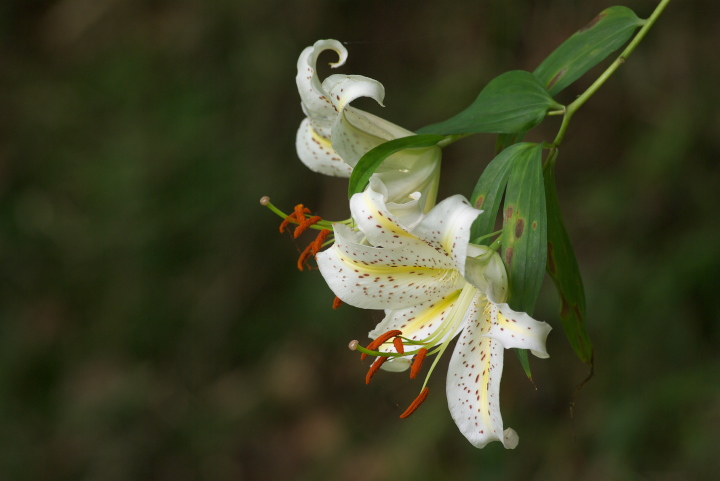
[512,102]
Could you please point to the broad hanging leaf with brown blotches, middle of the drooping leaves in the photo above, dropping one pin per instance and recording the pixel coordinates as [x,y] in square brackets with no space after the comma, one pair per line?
[524,237]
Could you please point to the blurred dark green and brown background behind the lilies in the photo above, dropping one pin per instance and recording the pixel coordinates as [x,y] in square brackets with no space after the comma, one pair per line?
[153,324]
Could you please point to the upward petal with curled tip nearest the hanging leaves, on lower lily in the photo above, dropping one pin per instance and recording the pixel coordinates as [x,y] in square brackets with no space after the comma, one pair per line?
[446,228]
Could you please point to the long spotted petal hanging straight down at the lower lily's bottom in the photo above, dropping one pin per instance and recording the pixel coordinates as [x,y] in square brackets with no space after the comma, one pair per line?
[473,382]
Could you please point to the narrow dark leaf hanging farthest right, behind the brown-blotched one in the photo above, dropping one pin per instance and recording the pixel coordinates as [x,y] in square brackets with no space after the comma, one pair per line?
[563,269]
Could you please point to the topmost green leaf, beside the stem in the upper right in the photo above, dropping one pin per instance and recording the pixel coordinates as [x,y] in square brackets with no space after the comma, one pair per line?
[587,47]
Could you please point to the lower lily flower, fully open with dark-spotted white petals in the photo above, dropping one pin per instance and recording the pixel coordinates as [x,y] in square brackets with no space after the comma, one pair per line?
[433,286]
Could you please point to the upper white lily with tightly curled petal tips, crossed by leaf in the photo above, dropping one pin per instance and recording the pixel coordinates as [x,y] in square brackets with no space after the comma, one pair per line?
[334,136]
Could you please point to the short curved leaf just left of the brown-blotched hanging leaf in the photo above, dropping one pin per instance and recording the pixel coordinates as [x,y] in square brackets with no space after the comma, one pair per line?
[491,186]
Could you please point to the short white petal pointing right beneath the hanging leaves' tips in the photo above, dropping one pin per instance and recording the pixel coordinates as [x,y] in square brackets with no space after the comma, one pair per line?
[517,329]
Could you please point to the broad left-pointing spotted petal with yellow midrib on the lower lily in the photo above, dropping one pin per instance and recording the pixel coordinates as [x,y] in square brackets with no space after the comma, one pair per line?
[382,278]
